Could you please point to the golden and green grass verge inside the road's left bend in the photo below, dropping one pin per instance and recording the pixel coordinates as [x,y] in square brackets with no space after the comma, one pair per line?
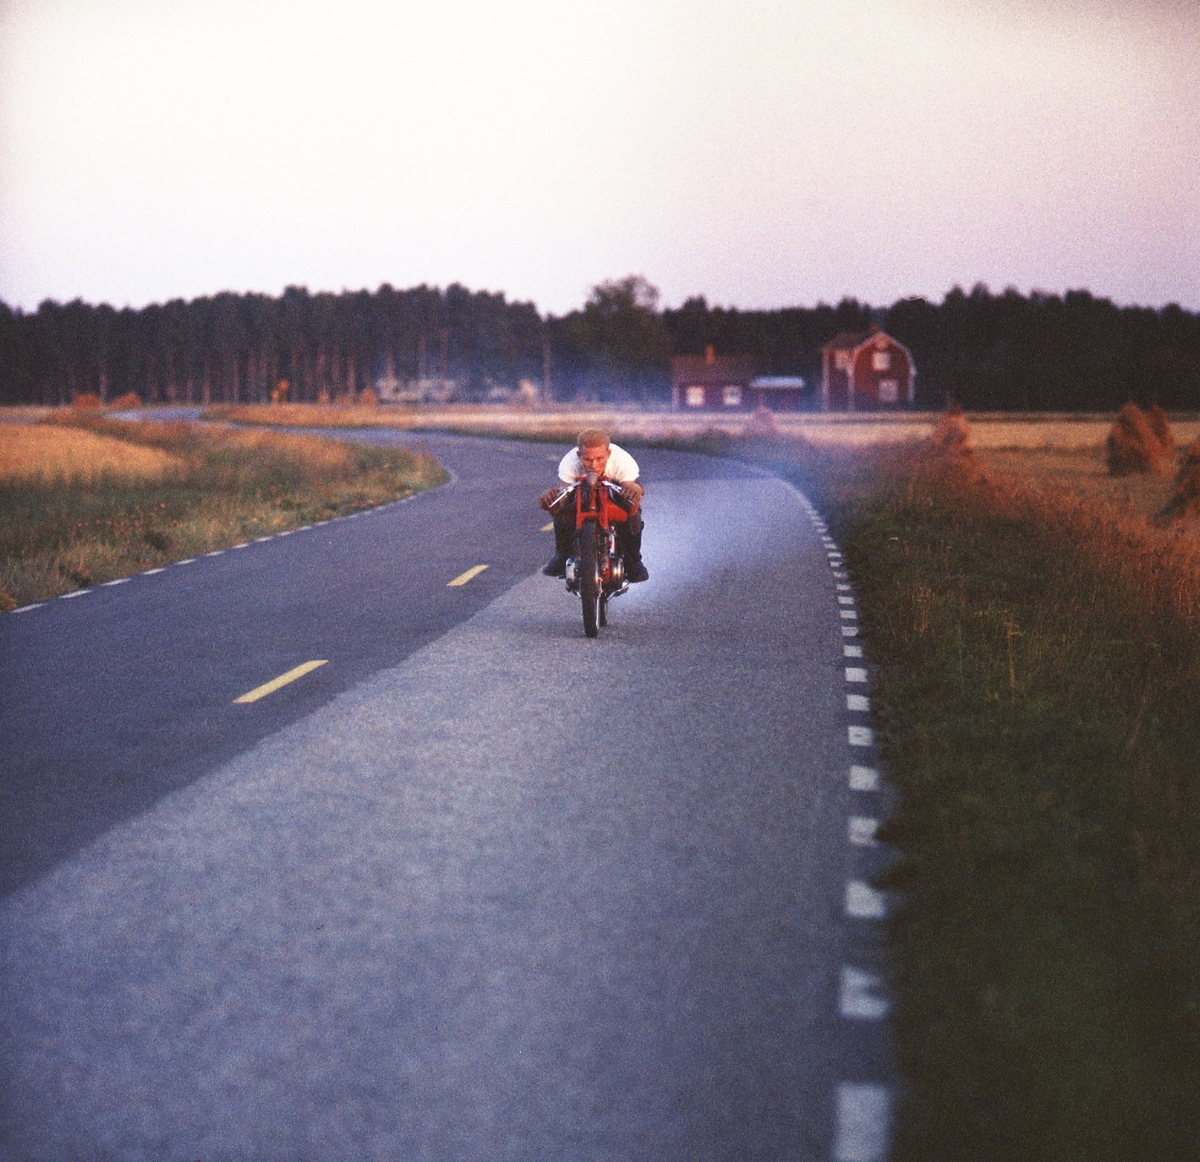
[86,501]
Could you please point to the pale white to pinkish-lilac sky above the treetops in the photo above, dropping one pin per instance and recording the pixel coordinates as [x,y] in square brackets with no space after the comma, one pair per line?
[764,153]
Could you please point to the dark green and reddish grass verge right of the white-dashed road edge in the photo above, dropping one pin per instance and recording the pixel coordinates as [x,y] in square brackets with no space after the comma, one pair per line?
[1037,696]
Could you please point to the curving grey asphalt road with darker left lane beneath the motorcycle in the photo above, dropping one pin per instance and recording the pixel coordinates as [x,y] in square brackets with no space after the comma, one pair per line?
[477,888]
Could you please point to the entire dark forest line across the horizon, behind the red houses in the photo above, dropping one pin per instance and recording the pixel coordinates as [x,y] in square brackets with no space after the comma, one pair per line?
[988,352]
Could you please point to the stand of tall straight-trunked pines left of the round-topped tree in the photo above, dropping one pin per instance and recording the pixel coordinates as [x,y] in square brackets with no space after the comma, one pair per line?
[232,349]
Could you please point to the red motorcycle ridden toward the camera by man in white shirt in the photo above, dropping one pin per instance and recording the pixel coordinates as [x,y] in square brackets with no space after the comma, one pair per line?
[597,572]
